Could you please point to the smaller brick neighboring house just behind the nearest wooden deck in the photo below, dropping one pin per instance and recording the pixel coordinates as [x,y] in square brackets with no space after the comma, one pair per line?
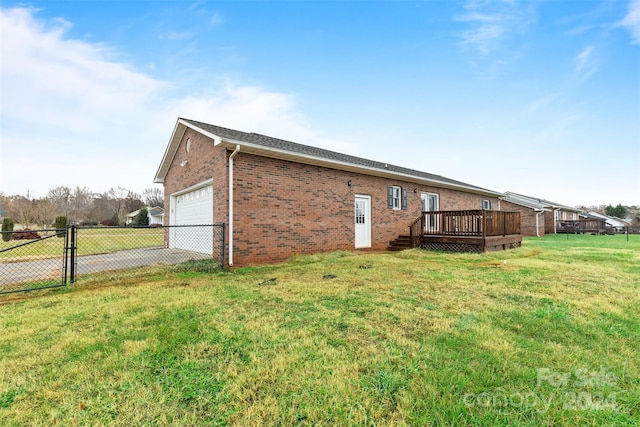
[539,216]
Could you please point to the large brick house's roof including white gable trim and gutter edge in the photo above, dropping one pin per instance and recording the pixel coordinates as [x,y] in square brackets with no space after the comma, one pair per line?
[267,146]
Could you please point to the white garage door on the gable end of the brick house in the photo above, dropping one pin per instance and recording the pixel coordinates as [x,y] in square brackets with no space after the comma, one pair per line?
[193,208]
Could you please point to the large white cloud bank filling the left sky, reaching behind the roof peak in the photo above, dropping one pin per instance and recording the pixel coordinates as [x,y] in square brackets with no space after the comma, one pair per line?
[72,115]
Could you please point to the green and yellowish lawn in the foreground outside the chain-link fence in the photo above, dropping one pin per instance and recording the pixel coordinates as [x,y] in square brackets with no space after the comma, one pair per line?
[549,337]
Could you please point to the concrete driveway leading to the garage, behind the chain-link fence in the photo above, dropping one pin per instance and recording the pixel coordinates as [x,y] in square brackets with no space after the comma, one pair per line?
[45,270]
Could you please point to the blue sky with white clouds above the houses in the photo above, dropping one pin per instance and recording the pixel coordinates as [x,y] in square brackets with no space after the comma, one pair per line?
[536,97]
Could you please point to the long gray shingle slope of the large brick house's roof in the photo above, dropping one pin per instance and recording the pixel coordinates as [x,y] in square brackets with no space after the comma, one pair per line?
[288,146]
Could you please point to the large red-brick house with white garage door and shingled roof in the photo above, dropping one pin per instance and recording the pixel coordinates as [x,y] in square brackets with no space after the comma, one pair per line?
[280,198]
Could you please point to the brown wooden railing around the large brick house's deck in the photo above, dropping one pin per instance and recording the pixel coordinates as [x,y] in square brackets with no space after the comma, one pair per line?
[478,223]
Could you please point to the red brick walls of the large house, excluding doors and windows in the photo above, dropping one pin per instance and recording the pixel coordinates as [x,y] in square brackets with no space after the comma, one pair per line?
[282,208]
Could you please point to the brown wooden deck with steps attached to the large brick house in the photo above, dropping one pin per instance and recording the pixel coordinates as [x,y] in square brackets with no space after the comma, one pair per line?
[463,231]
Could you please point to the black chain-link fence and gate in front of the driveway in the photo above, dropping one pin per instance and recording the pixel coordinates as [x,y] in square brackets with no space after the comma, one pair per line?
[52,258]
